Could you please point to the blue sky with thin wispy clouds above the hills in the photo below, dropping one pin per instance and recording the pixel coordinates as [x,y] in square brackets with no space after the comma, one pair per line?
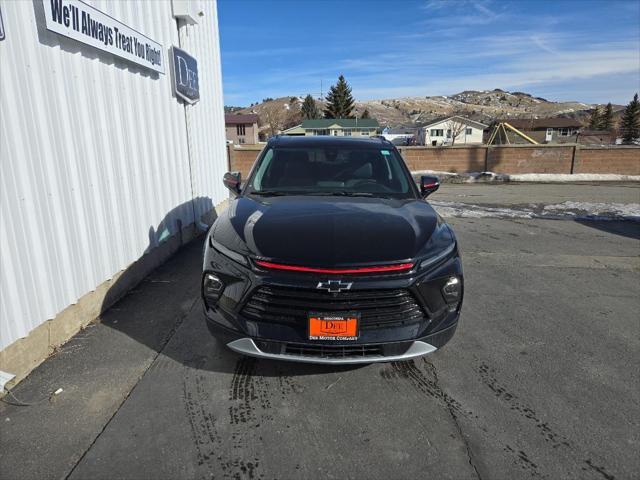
[580,50]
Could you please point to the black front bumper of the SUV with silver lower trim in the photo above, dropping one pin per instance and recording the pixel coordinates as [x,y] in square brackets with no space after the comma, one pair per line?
[233,318]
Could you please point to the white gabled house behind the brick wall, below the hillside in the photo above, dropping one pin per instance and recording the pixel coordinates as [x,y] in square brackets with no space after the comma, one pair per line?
[454,130]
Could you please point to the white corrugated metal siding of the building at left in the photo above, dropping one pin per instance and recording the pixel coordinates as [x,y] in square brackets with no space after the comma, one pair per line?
[94,156]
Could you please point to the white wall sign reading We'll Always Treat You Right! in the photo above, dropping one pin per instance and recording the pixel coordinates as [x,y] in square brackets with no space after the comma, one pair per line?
[75,19]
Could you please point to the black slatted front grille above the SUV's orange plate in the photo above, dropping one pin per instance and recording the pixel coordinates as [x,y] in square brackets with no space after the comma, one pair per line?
[291,306]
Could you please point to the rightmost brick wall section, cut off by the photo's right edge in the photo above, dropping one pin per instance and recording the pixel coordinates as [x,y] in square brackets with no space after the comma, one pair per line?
[620,160]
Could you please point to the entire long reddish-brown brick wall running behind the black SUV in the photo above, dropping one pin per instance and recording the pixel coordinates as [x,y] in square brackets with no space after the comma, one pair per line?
[624,160]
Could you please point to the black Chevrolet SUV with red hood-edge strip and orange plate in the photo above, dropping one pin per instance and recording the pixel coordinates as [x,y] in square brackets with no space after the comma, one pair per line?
[329,254]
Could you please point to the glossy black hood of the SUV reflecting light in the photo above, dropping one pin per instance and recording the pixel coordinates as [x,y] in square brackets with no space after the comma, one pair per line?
[327,231]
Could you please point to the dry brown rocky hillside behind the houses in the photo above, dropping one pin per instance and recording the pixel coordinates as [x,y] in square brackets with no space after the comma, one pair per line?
[484,106]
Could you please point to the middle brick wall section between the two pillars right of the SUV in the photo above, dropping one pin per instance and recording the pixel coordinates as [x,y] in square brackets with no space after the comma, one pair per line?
[517,159]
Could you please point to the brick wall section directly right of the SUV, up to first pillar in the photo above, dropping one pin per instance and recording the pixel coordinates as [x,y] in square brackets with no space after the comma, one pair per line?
[444,159]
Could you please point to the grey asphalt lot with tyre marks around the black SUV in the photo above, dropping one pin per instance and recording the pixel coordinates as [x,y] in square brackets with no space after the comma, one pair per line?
[540,381]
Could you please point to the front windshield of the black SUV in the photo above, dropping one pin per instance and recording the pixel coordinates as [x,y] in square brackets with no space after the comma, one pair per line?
[331,171]
